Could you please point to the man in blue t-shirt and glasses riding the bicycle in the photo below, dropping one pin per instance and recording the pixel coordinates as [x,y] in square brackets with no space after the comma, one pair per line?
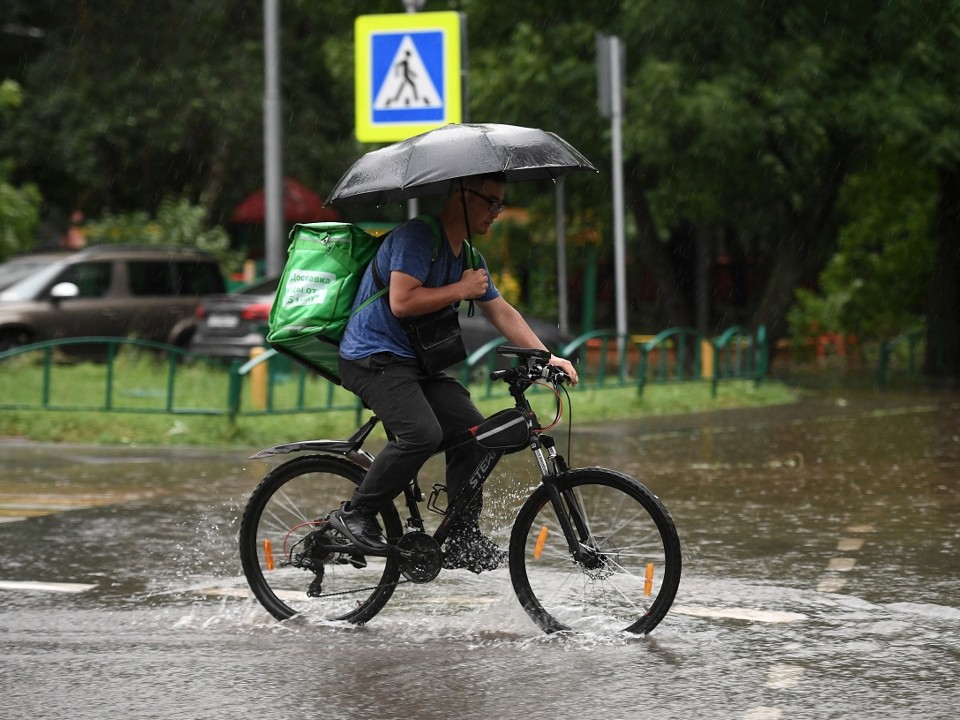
[419,407]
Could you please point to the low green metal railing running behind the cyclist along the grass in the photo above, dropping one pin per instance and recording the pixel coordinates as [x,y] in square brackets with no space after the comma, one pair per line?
[147,377]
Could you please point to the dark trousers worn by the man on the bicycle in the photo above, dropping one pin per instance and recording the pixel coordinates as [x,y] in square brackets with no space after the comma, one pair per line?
[419,412]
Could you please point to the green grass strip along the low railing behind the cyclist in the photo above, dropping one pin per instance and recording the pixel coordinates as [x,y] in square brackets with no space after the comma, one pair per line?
[140,396]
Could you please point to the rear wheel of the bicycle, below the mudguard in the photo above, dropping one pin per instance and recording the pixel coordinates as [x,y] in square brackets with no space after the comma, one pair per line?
[289,507]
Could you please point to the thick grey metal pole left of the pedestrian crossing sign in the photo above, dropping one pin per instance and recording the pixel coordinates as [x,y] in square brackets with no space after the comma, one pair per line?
[272,141]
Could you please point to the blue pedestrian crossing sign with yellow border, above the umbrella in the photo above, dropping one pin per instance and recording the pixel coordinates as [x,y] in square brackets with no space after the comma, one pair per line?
[408,69]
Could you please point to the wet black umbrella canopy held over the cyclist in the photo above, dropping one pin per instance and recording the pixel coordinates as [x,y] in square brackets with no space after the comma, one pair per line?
[425,165]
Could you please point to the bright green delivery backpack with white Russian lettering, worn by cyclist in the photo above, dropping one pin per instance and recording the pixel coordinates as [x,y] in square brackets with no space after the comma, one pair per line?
[314,301]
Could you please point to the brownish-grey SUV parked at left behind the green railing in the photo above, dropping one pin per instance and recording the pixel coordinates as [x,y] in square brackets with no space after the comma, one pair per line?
[105,290]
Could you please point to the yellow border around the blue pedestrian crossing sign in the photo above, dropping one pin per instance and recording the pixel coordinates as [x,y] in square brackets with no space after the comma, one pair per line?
[449,23]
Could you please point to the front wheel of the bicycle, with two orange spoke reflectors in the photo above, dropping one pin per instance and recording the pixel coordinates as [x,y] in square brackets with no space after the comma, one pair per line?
[628,569]
